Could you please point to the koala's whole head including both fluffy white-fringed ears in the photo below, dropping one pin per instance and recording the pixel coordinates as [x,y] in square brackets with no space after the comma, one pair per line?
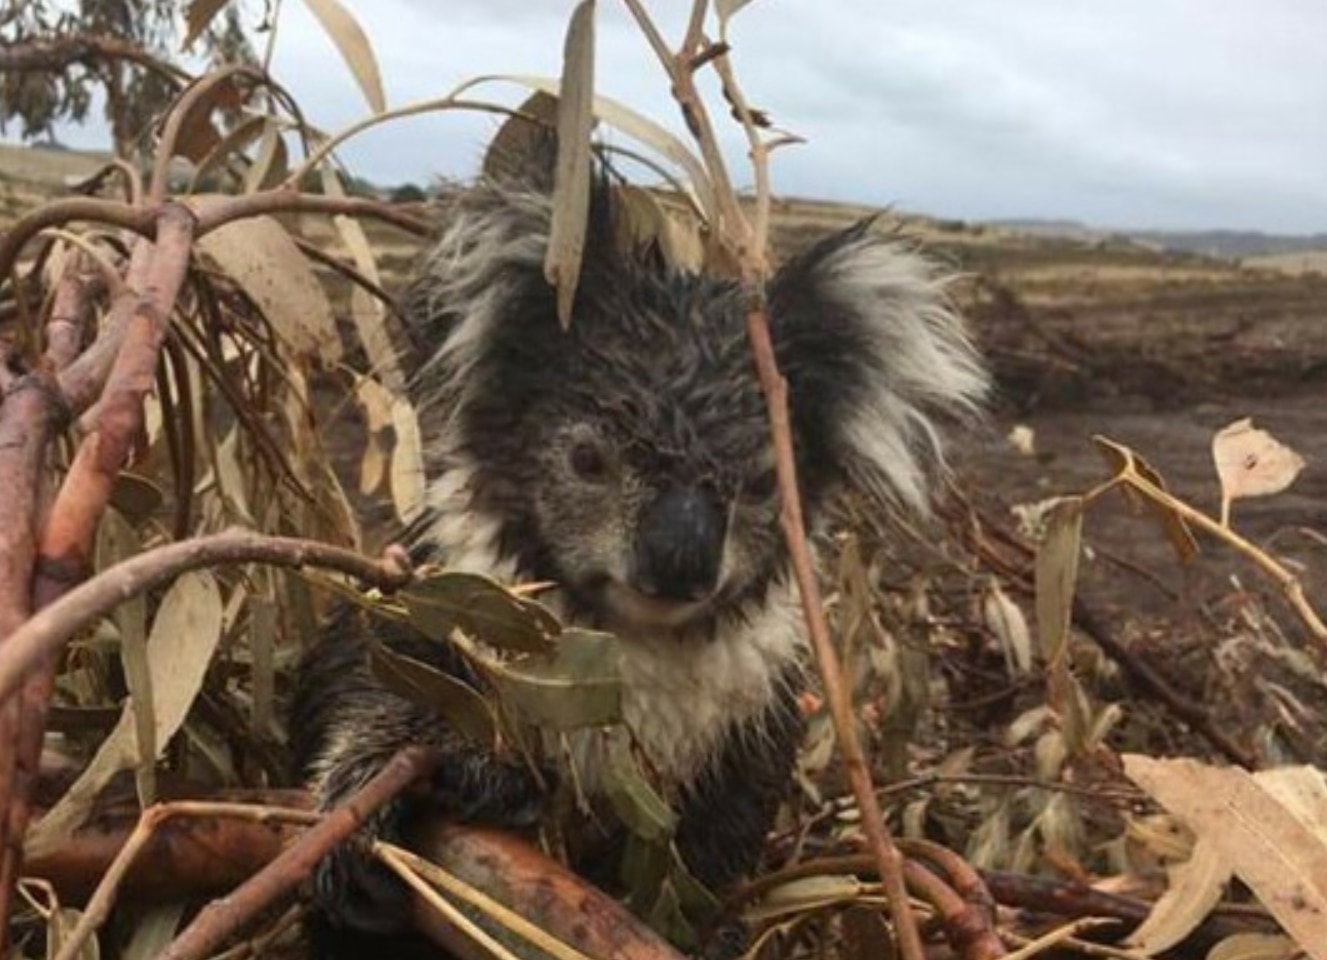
[630,457]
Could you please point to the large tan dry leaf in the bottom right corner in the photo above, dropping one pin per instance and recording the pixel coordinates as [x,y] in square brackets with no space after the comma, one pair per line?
[1269,849]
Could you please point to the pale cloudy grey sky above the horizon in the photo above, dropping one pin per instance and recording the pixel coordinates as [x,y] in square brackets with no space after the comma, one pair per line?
[1187,115]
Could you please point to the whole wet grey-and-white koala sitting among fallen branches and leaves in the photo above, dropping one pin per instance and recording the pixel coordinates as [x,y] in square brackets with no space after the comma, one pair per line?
[628,460]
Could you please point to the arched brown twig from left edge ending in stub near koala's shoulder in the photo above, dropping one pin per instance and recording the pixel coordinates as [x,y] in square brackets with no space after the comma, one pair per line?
[46,631]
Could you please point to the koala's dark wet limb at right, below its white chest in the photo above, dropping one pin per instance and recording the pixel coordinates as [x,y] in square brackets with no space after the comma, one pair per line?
[725,819]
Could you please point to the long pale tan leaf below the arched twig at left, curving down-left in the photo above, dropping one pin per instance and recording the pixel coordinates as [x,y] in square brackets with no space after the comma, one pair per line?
[180,651]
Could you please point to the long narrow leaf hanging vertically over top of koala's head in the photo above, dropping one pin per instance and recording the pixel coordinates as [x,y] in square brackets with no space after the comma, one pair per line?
[573,175]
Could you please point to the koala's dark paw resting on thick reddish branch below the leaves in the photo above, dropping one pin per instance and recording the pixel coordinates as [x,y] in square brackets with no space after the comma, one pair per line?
[478,788]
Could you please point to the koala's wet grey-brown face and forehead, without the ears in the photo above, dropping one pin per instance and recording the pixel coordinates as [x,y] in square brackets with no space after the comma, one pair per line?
[648,459]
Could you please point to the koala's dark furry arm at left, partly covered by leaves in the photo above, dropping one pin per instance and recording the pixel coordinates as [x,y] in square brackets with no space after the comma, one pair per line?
[346,727]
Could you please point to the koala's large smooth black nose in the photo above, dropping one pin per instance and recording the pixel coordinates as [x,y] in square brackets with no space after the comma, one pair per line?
[680,548]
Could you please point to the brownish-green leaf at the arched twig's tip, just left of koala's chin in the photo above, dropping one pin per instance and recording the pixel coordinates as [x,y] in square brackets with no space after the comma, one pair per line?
[482,609]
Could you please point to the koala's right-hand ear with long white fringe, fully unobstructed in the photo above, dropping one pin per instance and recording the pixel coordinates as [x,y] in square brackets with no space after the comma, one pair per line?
[876,359]
